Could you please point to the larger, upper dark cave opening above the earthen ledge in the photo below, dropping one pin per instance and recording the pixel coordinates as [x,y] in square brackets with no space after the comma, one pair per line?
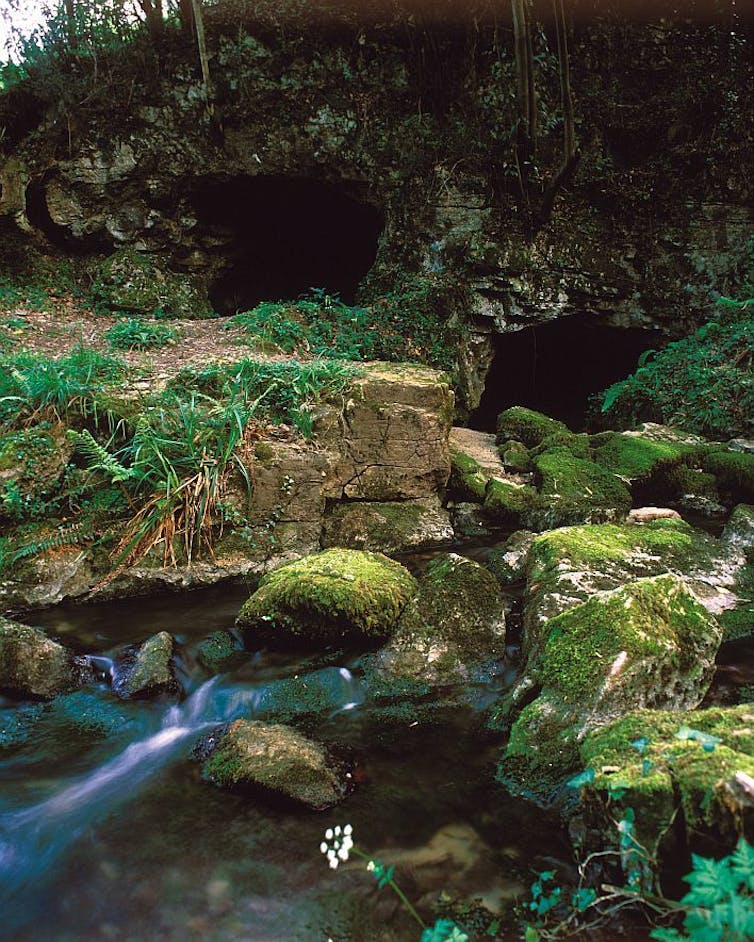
[281,236]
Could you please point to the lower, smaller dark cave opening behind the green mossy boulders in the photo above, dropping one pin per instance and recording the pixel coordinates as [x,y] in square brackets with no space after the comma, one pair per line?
[556,367]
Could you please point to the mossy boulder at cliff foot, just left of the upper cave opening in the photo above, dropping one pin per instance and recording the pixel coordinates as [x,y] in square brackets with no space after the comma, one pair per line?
[137,283]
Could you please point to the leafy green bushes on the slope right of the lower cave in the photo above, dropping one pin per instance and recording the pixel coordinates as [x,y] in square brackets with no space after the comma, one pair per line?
[703,383]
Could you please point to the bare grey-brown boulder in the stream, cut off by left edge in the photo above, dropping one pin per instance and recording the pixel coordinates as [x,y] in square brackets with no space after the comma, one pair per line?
[33,665]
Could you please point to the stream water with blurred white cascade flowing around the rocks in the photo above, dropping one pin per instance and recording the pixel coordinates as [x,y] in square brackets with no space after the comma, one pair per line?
[107,830]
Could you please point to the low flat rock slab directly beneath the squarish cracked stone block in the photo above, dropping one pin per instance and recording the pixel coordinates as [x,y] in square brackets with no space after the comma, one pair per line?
[388,526]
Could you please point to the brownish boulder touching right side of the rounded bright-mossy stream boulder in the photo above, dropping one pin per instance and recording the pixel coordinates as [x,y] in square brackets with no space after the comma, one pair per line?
[453,623]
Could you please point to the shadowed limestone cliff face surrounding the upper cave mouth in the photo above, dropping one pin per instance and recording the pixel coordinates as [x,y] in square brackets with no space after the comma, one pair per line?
[409,127]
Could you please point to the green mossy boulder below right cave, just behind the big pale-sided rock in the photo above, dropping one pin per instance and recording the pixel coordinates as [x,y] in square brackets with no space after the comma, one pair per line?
[577,490]
